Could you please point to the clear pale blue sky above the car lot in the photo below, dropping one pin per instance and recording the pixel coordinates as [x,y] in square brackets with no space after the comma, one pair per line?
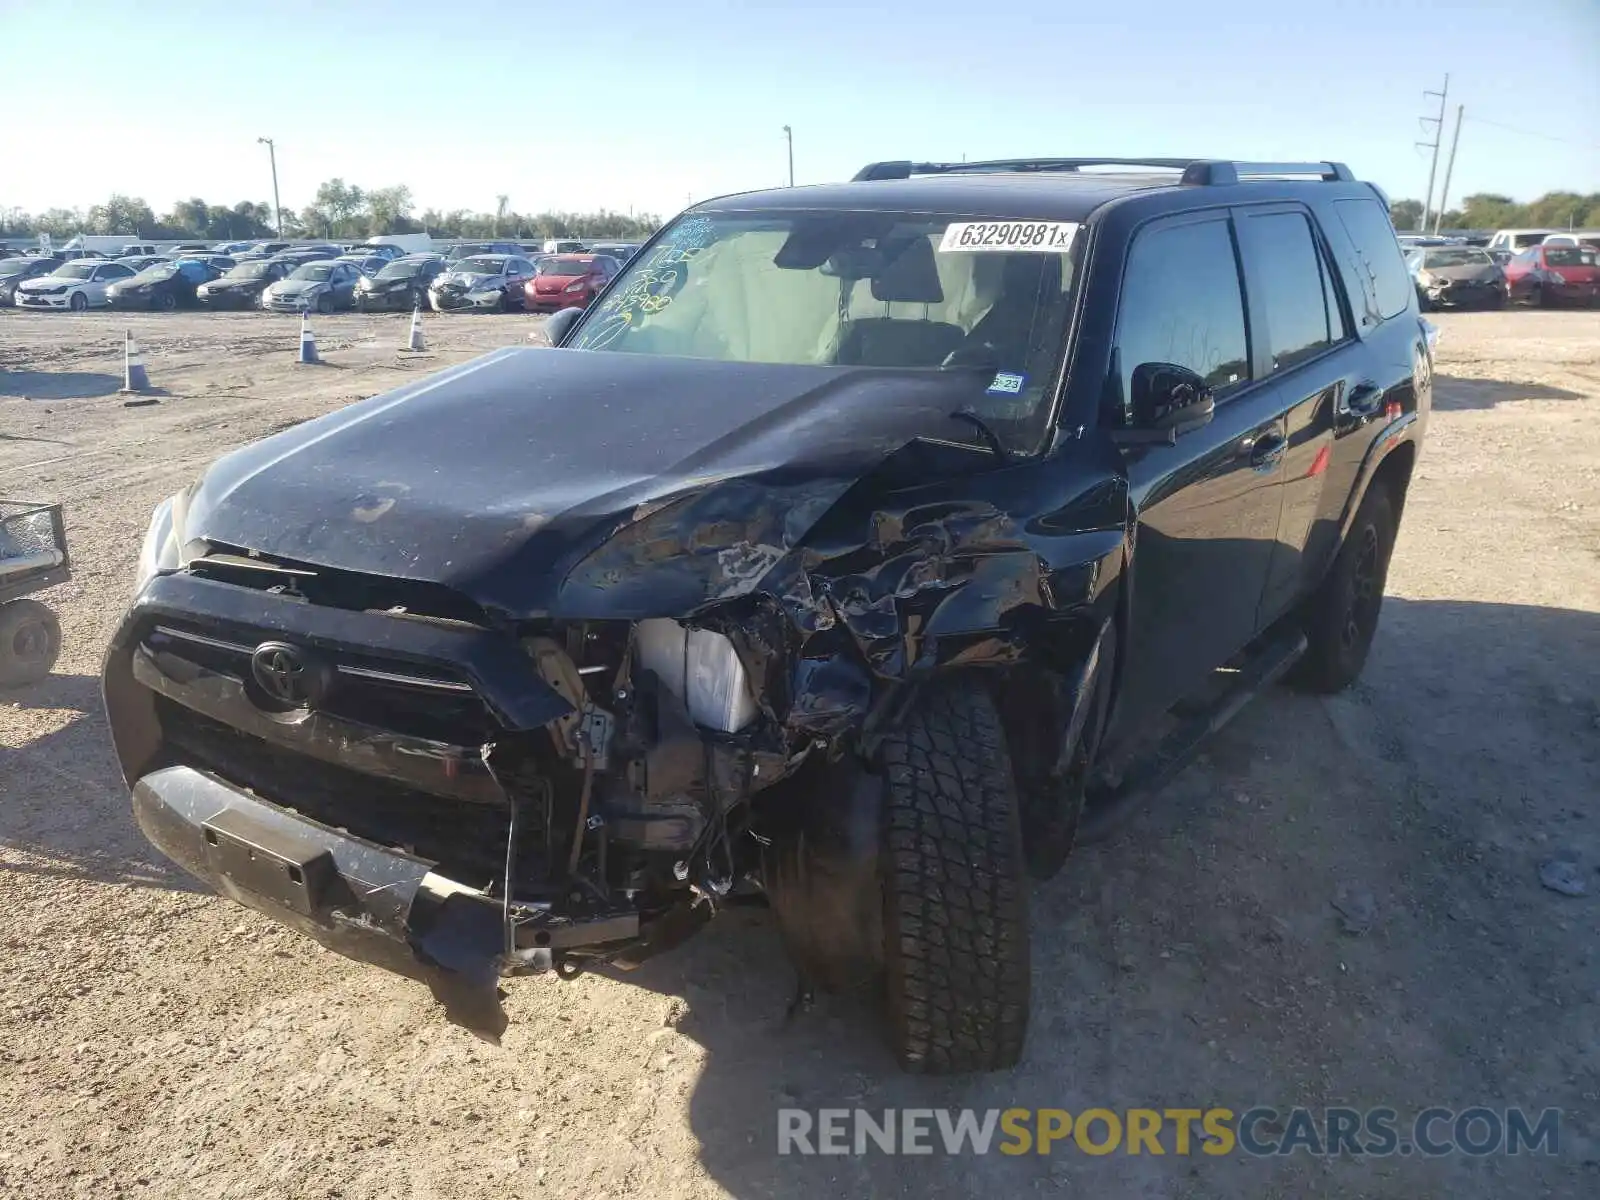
[641,106]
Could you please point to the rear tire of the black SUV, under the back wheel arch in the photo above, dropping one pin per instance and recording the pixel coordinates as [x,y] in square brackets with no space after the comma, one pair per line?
[1343,615]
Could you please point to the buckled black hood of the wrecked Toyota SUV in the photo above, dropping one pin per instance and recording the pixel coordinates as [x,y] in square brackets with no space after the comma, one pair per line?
[505,474]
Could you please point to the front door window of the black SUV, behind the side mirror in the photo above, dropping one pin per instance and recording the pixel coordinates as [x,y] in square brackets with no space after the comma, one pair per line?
[1182,305]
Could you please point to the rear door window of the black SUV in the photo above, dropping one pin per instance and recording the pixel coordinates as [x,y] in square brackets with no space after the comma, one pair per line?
[1294,302]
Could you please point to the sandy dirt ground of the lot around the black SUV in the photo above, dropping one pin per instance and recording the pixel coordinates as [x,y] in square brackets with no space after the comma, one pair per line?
[158,1041]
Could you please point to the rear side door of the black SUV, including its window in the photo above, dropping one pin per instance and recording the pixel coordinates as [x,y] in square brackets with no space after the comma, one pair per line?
[1311,366]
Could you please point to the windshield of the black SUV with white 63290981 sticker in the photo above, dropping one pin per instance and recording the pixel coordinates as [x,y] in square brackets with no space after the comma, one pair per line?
[852,289]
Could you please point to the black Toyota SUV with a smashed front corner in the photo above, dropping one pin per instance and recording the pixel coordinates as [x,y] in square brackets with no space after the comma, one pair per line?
[850,551]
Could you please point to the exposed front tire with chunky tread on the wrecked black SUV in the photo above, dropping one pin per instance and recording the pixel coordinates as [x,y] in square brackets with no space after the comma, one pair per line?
[954,890]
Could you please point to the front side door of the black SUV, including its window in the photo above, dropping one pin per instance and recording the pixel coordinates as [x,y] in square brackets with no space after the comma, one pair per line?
[1209,505]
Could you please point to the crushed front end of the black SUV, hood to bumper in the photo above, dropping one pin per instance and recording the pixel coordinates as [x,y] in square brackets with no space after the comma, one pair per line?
[484,730]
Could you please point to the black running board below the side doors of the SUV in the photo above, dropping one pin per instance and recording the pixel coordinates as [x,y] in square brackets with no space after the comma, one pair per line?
[1106,812]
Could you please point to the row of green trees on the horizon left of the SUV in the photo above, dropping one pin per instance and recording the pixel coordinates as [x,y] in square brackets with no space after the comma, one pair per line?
[338,210]
